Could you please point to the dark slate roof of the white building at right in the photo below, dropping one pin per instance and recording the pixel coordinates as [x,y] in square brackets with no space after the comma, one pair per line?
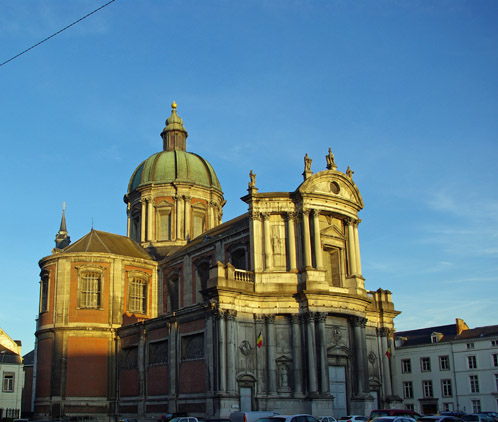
[449,332]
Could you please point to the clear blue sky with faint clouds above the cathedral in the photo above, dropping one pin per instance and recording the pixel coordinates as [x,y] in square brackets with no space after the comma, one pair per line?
[404,92]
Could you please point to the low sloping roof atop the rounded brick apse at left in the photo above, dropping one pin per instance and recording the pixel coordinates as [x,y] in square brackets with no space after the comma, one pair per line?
[103,242]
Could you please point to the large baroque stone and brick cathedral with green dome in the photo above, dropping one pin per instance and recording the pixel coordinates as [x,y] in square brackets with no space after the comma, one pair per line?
[267,311]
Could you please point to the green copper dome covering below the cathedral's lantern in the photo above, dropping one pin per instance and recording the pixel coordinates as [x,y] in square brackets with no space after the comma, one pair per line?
[174,167]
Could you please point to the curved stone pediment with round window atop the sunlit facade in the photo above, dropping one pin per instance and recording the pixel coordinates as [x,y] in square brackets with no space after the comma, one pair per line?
[333,184]
